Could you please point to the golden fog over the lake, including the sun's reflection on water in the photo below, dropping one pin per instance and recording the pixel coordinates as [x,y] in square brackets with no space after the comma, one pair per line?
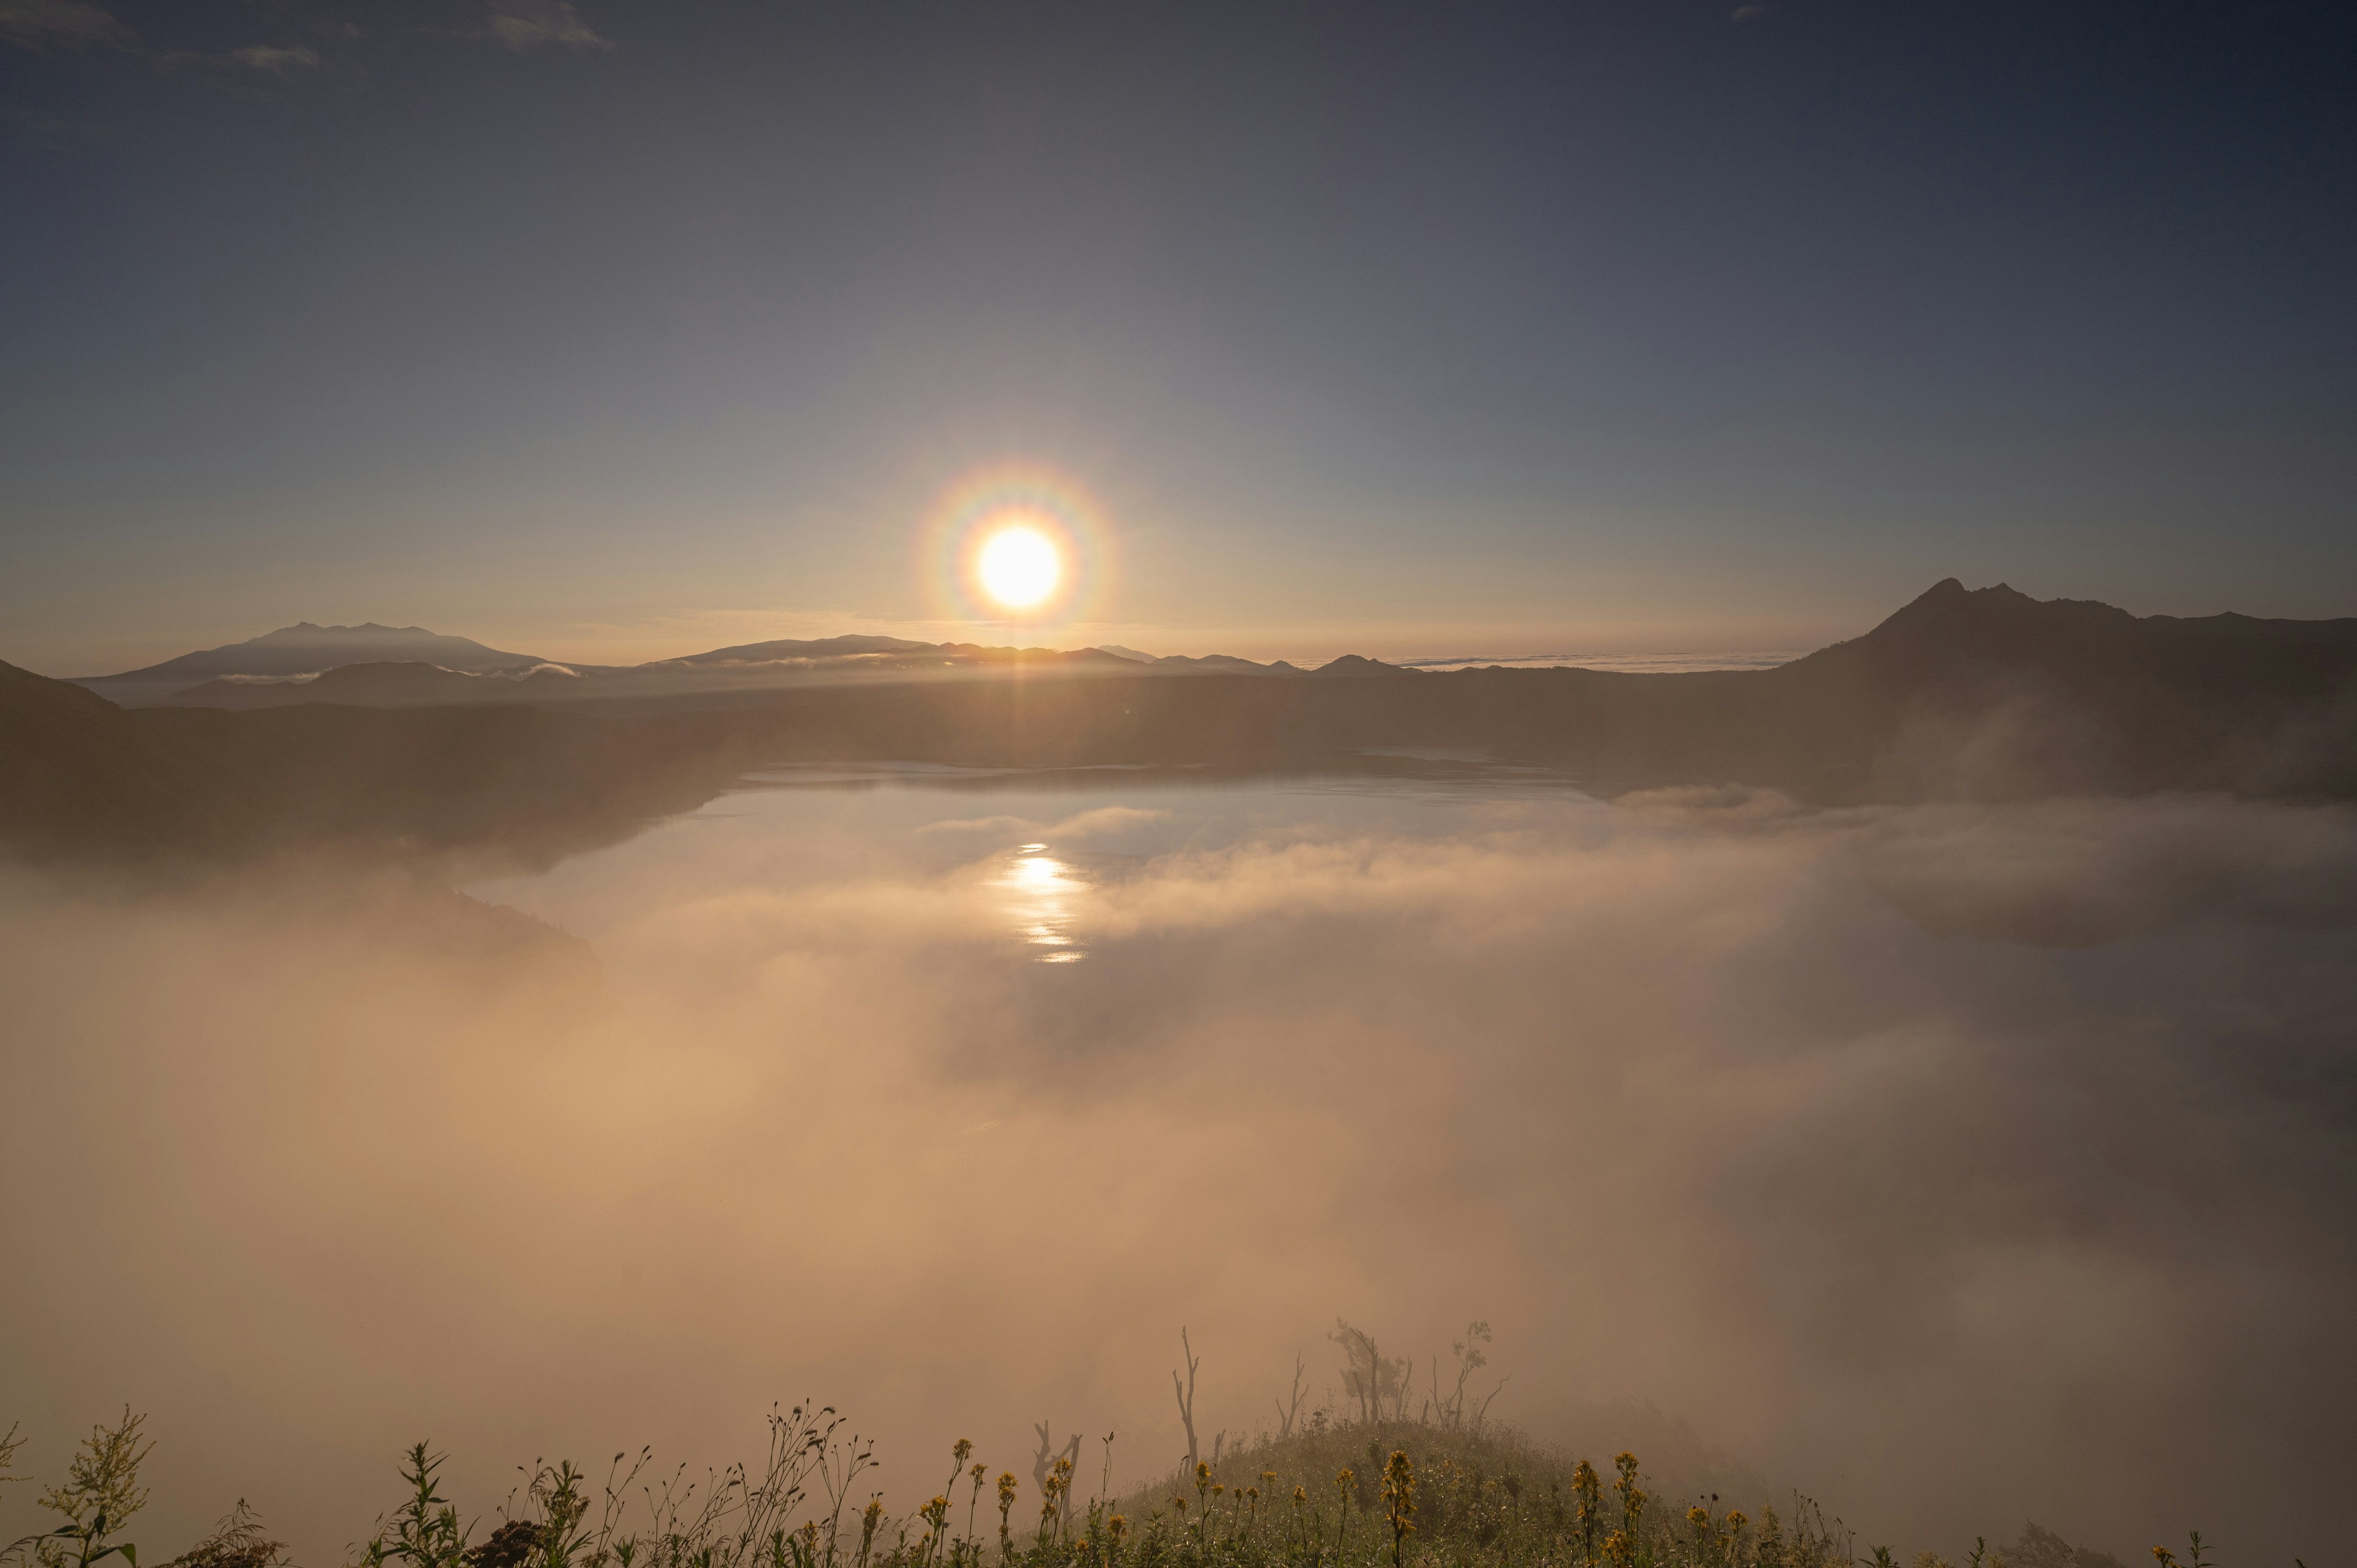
[1955,1164]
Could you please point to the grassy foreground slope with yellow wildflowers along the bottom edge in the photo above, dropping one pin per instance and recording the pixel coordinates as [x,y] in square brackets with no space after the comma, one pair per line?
[1371,1494]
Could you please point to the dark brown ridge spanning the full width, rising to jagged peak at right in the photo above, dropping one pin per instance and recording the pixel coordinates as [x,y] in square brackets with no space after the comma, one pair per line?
[1957,697]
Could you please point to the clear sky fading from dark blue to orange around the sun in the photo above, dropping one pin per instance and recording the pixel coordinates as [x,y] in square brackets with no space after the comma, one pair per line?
[612,331]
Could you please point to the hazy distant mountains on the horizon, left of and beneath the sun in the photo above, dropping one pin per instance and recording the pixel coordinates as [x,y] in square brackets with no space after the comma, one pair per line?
[414,668]
